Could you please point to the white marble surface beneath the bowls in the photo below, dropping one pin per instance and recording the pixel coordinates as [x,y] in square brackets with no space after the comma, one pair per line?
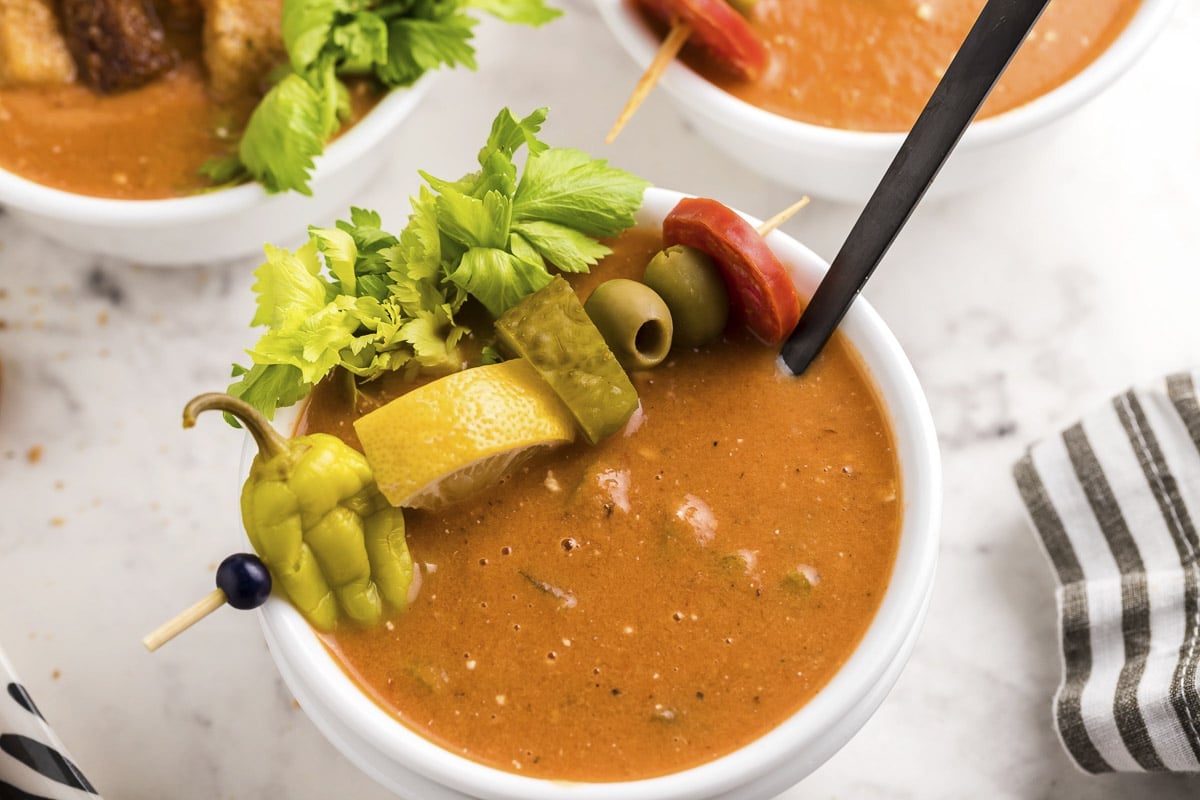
[1019,306]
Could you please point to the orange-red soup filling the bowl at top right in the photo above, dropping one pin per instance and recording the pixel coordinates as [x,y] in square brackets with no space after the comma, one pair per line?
[872,67]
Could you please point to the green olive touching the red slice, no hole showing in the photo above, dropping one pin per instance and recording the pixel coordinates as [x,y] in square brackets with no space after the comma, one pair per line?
[692,286]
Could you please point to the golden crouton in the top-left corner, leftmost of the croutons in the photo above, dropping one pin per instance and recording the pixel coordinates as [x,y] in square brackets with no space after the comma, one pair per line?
[33,51]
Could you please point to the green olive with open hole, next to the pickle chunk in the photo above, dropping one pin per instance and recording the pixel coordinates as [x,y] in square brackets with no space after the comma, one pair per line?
[634,321]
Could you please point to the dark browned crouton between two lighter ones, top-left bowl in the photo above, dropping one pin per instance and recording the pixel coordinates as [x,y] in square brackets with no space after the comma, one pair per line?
[117,44]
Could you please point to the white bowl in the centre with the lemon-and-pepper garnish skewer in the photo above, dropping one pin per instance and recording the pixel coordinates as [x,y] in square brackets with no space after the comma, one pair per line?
[416,768]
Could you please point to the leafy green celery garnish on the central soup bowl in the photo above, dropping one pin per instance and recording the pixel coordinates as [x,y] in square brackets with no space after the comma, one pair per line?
[359,299]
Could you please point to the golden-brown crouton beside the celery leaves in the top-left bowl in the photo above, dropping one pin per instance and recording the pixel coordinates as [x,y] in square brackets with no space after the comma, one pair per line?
[243,44]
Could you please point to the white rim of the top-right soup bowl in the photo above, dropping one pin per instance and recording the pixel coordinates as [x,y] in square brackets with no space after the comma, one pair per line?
[694,89]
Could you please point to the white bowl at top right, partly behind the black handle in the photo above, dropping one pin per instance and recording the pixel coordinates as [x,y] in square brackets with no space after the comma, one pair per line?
[848,165]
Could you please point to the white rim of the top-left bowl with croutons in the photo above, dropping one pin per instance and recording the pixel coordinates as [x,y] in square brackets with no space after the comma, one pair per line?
[68,207]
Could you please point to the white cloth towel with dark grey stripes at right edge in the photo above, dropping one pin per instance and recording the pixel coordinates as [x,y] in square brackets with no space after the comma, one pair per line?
[1115,501]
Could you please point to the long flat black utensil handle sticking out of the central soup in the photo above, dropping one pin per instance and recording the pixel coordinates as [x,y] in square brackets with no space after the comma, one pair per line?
[991,45]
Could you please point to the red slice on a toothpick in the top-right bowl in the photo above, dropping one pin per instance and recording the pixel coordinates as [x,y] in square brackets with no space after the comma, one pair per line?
[721,31]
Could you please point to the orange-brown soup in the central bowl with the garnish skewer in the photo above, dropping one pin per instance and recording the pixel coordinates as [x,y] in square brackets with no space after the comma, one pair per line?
[650,604]
